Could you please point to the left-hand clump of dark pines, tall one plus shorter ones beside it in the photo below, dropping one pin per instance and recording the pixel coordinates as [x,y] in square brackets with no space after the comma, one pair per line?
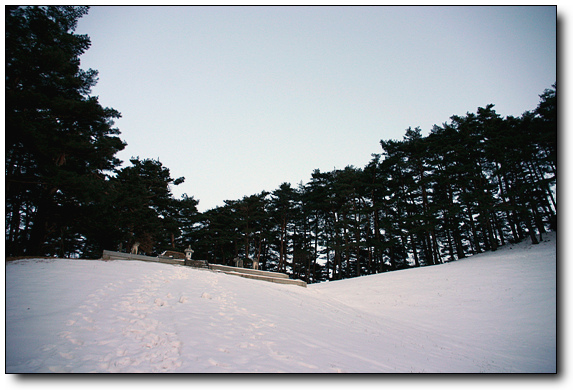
[65,193]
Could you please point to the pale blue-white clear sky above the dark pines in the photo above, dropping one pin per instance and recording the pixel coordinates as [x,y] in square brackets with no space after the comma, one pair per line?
[239,100]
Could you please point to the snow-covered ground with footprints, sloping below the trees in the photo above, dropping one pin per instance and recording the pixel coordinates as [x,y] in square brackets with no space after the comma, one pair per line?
[491,313]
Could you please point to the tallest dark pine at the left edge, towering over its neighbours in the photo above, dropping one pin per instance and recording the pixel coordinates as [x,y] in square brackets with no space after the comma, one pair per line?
[60,142]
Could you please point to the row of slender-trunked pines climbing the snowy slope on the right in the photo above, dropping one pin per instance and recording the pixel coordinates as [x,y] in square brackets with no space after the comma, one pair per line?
[471,185]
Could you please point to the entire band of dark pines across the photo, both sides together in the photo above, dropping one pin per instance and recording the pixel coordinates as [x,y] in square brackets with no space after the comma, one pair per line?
[472,184]
